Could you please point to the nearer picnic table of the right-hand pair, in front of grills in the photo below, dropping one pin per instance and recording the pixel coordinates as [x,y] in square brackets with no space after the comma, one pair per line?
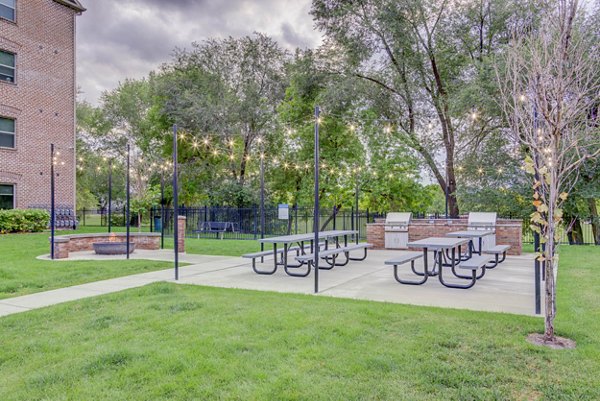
[441,246]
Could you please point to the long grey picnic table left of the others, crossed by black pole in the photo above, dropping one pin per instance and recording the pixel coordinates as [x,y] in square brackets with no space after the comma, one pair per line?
[300,239]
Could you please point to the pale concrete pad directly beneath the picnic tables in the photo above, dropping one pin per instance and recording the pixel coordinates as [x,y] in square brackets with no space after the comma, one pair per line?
[507,288]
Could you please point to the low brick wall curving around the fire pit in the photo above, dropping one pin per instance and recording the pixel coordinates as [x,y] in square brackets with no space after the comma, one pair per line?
[63,244]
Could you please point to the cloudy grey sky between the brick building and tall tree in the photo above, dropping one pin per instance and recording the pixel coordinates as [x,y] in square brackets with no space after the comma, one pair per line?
[118,39]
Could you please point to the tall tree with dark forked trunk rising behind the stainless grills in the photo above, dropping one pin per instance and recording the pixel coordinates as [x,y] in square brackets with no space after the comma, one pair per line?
[430,61]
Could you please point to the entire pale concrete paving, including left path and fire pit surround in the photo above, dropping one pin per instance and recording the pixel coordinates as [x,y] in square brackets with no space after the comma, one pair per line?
[508,288]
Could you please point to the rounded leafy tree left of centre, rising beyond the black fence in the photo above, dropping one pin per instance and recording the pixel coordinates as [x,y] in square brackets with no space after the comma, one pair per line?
[224,91]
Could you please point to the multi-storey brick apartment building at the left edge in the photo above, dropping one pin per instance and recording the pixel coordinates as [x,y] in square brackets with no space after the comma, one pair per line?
[37,100]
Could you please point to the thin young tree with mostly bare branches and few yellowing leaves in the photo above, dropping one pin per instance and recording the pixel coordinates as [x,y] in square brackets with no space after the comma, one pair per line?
[550,92]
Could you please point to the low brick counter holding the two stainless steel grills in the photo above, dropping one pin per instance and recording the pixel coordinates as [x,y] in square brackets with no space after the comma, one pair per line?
[508,232]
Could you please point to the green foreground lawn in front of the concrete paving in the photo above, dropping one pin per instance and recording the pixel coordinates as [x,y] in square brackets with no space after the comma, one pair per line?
[171,342]
